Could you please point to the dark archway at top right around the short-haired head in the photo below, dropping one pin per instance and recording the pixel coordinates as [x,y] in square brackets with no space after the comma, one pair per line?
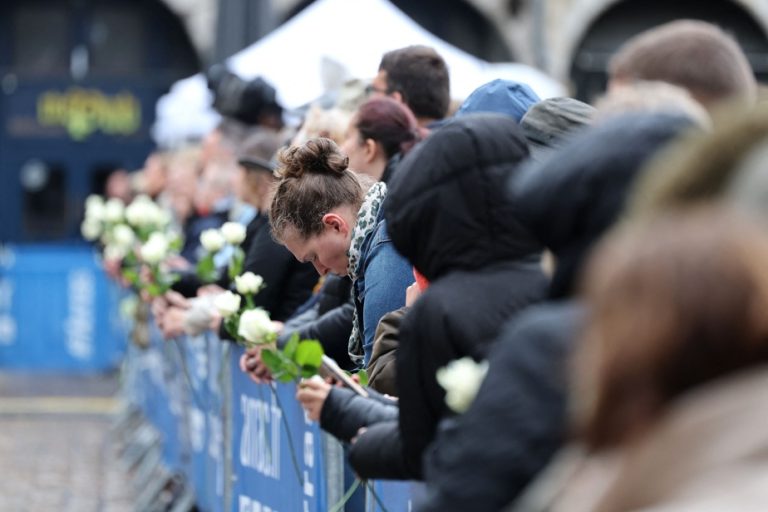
[626,19]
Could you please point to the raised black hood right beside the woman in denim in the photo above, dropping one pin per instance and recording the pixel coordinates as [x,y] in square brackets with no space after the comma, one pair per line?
[446,208]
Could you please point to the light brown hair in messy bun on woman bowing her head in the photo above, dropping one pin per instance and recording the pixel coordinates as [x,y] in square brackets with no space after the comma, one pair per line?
[314,178]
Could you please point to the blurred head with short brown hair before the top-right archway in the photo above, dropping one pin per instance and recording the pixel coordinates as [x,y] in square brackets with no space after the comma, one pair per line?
[694,55]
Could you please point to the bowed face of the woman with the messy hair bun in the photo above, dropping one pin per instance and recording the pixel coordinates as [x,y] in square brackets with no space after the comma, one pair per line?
[326,251]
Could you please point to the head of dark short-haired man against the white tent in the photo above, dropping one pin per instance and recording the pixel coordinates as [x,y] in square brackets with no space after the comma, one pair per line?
[418,77]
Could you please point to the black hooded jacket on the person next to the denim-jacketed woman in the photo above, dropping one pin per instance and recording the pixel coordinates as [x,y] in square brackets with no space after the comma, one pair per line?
[448,215]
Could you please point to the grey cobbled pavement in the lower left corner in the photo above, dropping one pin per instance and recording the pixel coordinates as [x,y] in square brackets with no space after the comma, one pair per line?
[56,451]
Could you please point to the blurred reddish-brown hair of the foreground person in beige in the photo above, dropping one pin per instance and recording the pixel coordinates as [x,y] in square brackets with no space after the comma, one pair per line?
[674,302]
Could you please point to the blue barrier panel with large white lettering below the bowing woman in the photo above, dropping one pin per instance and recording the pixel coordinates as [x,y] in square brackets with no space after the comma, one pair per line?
[277,454]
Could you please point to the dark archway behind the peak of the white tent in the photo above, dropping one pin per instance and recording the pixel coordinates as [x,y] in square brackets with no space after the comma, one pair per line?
[454,21]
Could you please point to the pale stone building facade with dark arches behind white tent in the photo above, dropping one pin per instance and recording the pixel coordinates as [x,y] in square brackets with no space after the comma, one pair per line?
[572,40]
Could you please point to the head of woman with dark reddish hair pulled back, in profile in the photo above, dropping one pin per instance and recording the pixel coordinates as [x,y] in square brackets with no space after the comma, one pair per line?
[380,132]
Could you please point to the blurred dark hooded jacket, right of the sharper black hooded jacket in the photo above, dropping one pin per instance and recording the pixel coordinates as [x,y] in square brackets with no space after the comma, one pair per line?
[569,201]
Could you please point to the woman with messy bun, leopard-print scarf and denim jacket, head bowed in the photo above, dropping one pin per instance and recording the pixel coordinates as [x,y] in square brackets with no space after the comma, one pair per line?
[326,214]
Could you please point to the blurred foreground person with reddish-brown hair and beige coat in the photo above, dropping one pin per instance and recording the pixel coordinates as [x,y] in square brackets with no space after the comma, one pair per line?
[671,372]
